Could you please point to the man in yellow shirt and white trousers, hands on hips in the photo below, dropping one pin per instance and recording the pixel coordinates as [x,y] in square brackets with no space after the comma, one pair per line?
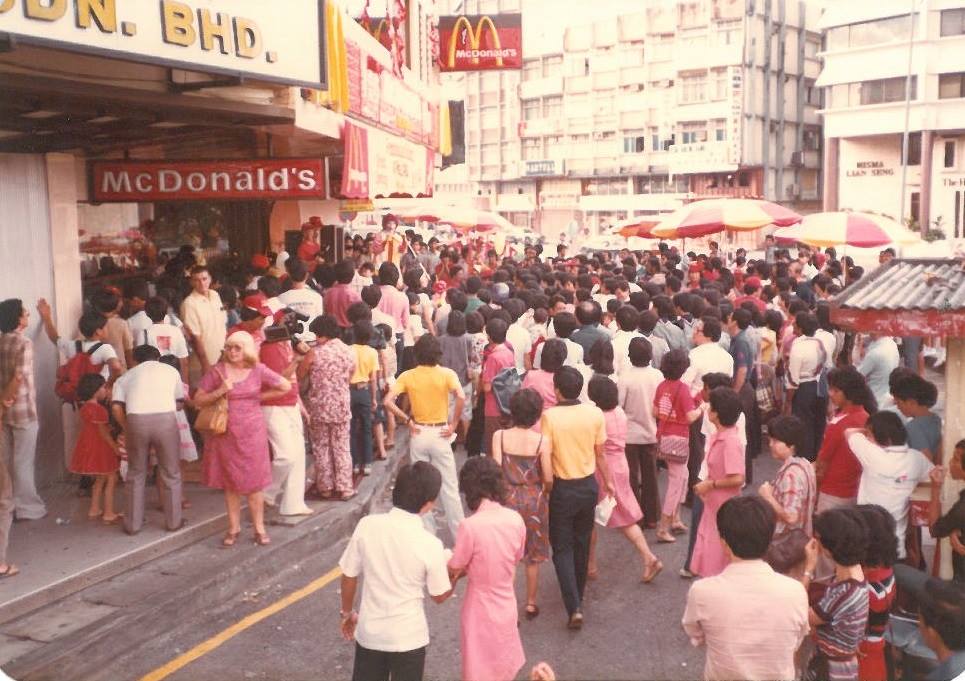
[428,386]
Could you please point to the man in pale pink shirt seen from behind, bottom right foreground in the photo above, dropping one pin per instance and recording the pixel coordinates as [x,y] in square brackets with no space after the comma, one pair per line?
[751,619]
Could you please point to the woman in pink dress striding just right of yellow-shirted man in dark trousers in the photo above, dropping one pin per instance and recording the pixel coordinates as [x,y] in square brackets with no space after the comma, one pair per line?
[603,393]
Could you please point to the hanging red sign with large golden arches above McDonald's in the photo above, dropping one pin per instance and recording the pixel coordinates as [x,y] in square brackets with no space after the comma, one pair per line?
[481,42]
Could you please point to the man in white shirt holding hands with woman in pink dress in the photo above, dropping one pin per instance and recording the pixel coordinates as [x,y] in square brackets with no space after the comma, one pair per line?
[400,560]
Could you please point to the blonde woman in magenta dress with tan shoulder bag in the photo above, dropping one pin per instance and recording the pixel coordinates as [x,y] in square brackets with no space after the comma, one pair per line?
[237,461]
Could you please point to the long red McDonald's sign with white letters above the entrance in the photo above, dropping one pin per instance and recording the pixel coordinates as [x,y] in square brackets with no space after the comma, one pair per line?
[142,181]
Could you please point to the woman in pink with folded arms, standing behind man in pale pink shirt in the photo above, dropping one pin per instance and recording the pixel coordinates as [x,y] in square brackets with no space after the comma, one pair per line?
[725,477]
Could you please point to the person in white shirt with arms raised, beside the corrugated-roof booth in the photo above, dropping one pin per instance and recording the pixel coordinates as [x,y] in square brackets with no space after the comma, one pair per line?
[890,470]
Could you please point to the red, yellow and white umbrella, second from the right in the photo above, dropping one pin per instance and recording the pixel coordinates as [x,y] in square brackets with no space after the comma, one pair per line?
[710,216]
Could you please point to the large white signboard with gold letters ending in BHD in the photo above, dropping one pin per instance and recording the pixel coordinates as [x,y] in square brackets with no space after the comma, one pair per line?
[246,38]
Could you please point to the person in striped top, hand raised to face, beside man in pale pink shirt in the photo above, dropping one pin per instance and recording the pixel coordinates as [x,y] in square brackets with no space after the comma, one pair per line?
[840,618]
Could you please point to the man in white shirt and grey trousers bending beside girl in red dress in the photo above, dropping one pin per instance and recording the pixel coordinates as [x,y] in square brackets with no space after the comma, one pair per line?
[144,403]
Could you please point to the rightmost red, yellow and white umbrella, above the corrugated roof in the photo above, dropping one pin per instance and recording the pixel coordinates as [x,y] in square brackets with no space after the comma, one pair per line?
[843,228]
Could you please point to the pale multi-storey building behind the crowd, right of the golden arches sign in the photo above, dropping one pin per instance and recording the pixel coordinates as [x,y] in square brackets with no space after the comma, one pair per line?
[640,112]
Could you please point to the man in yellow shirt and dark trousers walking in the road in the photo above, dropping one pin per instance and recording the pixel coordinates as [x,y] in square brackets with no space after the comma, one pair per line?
[576,433]
